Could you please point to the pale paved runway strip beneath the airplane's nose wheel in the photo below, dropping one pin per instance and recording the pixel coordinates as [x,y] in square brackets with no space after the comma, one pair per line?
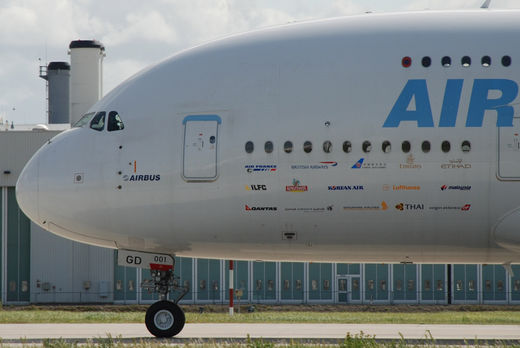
[313,332]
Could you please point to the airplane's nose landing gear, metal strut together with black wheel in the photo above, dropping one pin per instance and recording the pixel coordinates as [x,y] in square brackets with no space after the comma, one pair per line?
[164,318]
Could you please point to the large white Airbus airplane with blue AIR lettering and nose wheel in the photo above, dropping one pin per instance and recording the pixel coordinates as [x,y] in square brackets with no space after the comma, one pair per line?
[370,138]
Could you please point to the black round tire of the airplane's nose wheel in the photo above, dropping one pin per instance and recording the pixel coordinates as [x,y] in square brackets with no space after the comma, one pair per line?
[164,319]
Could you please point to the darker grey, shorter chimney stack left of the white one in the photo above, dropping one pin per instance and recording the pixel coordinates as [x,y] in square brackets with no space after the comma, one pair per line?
[57,75]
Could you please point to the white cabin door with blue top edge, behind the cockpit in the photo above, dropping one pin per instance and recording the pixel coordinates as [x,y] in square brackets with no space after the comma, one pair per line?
[200,158]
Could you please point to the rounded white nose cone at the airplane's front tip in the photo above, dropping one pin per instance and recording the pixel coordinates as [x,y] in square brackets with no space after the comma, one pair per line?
[27,189]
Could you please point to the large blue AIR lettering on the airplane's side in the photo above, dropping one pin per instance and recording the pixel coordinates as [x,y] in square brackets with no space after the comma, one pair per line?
[486,94]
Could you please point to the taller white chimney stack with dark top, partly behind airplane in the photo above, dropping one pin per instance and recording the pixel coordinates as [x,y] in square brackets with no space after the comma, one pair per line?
[86,59]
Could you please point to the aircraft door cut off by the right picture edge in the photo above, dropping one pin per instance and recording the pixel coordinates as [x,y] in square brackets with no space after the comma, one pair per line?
[509,151]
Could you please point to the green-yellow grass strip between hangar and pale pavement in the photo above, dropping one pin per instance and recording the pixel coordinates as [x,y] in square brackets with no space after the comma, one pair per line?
[447,317]
